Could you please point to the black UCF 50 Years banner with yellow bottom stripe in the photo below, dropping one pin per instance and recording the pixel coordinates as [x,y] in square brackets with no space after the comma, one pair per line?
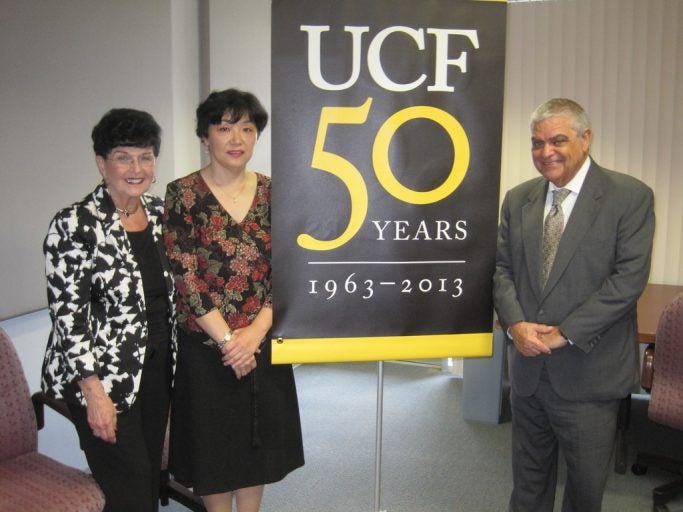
[386,127]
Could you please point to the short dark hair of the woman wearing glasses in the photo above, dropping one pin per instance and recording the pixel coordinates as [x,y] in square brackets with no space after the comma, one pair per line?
[125,127]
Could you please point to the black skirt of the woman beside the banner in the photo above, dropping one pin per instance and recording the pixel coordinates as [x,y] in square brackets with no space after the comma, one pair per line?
[229,433]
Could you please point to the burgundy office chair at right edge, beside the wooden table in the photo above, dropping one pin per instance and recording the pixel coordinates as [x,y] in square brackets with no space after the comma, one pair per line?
[666,400]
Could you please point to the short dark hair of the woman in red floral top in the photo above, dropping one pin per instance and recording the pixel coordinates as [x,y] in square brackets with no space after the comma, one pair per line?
[233,102]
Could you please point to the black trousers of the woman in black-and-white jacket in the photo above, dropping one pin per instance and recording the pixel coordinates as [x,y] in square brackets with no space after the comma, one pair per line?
[128,472]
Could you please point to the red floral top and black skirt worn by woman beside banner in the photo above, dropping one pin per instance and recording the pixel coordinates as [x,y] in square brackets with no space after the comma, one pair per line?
[226,433]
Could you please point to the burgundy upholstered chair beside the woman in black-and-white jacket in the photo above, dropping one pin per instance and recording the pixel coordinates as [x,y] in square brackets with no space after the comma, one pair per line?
[31,481]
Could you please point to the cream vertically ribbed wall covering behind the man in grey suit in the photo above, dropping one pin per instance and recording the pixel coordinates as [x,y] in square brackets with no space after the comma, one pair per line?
[623,61]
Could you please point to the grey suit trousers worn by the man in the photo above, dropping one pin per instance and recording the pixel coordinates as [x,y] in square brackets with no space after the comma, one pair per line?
[585,434]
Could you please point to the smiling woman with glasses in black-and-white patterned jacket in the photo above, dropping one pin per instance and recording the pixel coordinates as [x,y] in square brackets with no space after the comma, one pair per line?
[111,351]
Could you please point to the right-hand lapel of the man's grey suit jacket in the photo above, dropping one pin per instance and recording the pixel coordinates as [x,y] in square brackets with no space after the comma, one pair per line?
[583,214]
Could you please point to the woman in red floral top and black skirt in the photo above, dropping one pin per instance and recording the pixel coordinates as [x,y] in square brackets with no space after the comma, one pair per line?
[234,417]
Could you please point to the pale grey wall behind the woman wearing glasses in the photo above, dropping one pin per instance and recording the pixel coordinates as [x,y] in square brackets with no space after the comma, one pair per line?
[63,65]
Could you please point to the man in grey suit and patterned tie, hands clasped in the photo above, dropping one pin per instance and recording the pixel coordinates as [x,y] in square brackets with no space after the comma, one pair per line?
[571,317]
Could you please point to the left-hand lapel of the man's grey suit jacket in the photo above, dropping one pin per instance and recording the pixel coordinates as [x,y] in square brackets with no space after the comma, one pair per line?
[532,232]
